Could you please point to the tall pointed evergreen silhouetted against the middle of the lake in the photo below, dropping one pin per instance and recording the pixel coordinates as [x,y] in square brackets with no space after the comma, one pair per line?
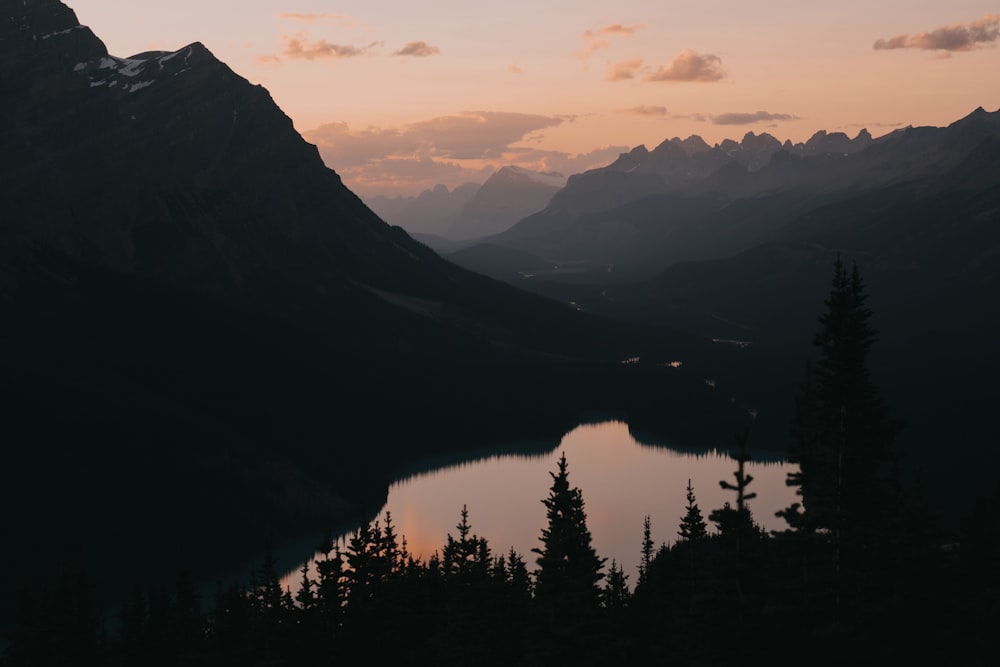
[569,569]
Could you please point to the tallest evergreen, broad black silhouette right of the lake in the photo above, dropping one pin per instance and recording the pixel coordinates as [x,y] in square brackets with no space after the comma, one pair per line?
[842,431]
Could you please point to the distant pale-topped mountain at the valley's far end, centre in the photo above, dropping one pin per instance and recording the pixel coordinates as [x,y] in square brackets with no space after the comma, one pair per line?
[510,194]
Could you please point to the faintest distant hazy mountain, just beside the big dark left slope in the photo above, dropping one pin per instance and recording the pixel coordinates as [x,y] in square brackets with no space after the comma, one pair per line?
[433,211]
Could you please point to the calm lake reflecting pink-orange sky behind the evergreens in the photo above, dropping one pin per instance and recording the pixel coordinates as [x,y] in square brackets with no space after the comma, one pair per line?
[622,481]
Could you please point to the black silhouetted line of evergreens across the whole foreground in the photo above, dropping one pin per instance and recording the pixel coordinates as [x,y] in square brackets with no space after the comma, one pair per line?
[861,575]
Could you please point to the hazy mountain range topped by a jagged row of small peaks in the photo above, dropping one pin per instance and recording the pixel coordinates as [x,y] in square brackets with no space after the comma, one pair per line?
[643,211]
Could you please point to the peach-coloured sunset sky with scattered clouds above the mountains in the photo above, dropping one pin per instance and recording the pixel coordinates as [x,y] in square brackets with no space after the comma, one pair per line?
[401,95]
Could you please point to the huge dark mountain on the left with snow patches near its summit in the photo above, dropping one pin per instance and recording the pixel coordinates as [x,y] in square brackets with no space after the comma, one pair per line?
[207,336]
